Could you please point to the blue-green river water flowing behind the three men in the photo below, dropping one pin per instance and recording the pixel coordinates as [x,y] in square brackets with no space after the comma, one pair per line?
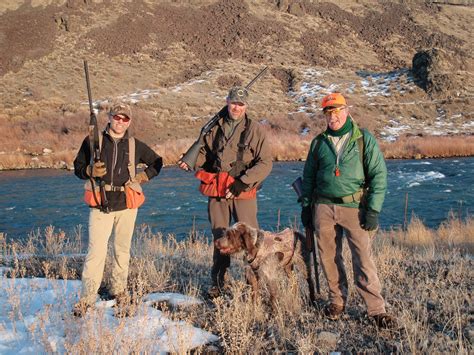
[32,200]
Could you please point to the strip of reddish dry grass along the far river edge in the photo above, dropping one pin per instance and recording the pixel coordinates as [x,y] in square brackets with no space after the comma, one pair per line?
[285,147]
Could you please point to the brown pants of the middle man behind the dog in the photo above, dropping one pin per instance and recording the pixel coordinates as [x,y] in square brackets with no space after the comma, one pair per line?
[221,212]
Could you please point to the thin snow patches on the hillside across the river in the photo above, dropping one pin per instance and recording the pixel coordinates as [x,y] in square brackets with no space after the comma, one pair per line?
[315,84]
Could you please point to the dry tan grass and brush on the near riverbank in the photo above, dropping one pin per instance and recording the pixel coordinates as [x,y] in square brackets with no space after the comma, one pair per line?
[426,275]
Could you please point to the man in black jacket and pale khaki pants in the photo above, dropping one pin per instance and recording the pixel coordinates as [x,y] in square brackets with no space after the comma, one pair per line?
[112,169]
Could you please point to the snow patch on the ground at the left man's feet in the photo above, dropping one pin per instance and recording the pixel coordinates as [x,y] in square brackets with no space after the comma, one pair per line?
[36,317]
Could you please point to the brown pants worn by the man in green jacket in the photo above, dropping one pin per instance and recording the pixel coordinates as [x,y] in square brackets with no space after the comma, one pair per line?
[330,221]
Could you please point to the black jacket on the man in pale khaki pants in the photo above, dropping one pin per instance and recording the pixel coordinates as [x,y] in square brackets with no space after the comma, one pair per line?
[114,153]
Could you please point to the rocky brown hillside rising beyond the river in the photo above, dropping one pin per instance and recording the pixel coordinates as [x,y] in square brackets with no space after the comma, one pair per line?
[406,67]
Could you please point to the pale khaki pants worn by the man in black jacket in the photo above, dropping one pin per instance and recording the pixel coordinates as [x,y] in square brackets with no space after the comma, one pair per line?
[101,225]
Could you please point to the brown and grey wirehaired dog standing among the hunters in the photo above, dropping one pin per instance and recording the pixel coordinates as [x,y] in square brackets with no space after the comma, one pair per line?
[267,255]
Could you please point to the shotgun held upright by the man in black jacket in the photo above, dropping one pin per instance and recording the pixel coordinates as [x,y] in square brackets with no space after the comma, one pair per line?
[95,148]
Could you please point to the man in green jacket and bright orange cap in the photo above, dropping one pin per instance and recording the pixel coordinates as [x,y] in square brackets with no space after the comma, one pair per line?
[344,185]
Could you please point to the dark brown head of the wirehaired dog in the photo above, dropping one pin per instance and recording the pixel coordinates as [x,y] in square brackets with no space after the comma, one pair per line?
[237,238]
